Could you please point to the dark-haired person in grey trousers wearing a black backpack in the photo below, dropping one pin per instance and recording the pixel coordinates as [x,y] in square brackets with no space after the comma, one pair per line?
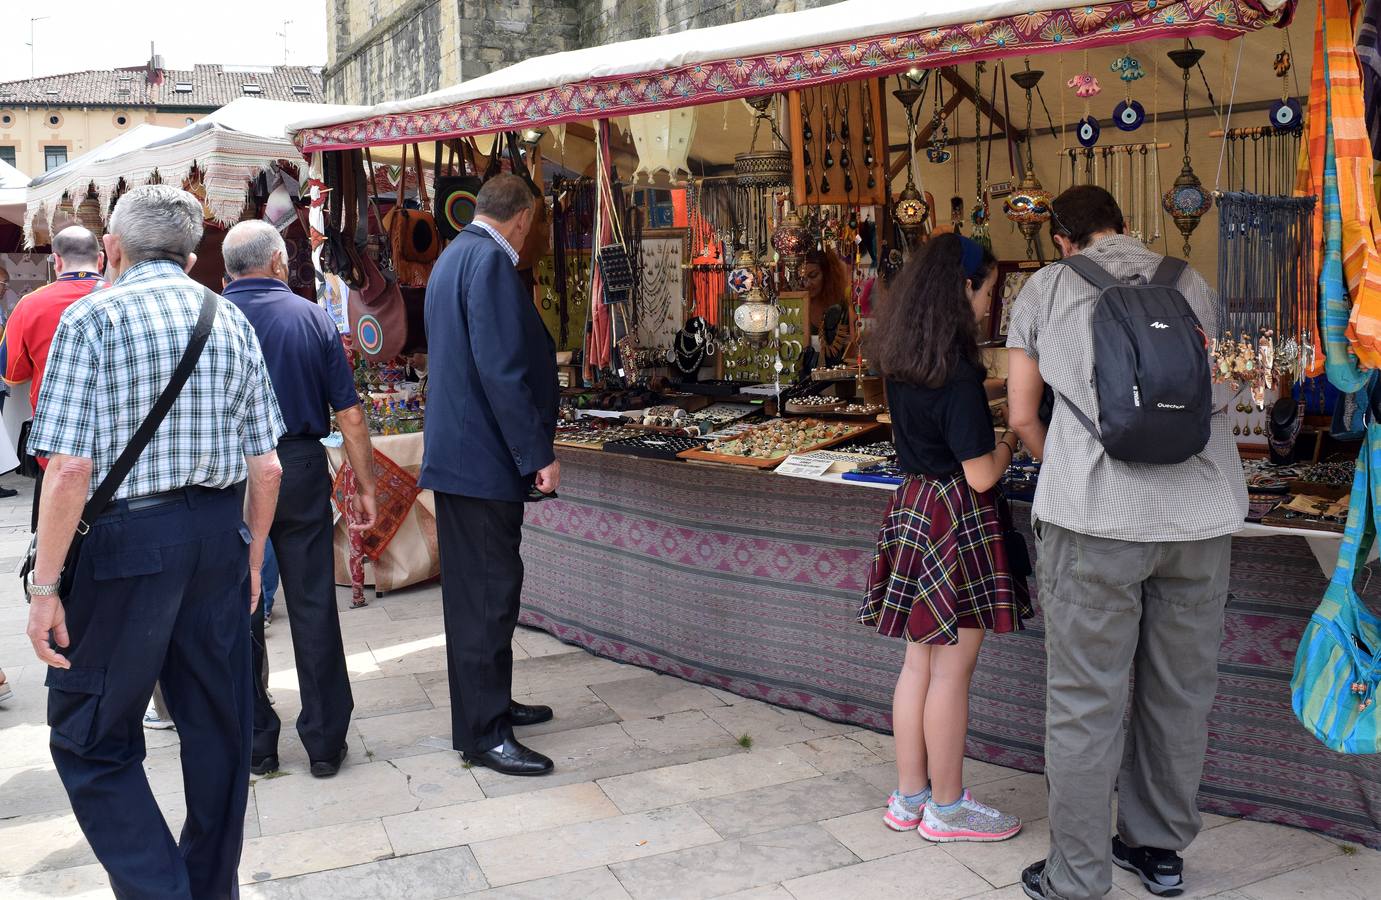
[1141,489]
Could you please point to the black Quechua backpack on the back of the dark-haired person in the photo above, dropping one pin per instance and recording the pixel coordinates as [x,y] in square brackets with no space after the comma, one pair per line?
[1151,366]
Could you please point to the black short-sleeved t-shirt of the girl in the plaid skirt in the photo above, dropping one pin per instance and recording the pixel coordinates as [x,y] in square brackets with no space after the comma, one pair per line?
[937,429]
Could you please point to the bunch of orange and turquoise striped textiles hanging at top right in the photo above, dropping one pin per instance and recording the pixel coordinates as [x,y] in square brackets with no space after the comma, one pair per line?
[1342,153]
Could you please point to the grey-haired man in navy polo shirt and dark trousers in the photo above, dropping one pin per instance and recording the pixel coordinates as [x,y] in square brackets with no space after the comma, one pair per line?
[311,378]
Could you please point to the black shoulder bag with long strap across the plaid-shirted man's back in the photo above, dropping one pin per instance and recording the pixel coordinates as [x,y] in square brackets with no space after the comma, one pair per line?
[125,463]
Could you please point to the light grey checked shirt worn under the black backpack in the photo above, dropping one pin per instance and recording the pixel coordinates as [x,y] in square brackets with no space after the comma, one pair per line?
[1083,489]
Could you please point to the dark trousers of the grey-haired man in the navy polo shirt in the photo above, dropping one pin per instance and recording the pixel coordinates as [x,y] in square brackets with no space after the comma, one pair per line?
[303,542]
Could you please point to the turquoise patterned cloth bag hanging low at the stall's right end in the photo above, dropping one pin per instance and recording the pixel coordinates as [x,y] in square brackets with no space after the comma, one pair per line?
[1339,665]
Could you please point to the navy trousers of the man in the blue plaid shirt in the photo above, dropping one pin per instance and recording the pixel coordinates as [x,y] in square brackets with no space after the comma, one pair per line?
[160,596]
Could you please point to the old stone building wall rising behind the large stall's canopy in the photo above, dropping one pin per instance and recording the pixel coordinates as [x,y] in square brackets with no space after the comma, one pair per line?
[382,50]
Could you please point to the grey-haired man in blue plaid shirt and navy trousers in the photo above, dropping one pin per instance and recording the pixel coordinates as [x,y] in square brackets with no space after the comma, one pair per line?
[166,575]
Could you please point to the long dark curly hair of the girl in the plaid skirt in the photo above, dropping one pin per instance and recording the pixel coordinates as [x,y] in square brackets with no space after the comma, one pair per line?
[925,328]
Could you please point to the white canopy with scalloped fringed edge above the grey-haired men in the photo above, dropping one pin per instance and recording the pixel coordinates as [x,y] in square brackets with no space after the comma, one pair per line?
[230,147]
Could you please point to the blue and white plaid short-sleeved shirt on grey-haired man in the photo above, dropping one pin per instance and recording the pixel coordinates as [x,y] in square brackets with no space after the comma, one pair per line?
[114,354]
